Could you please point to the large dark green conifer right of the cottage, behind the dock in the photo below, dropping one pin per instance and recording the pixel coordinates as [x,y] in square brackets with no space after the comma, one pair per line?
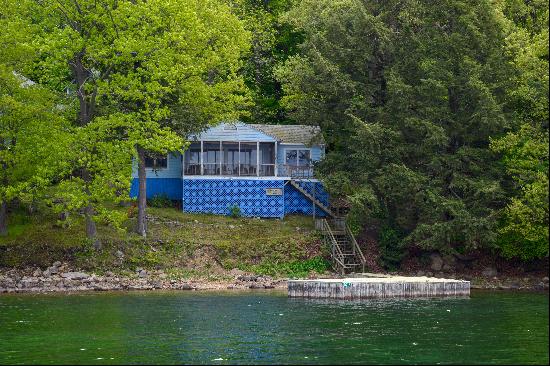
[407,95]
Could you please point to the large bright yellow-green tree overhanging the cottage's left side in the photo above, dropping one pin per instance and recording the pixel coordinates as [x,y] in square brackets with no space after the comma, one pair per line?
[133,68]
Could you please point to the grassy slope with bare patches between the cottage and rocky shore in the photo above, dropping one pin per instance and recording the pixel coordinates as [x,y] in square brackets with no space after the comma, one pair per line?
[182,244]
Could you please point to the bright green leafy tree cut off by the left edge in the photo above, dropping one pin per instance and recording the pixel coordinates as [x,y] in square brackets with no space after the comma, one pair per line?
[33,126]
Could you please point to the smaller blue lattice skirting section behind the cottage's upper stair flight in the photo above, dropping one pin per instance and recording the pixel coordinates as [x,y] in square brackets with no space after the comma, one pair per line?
[297,203]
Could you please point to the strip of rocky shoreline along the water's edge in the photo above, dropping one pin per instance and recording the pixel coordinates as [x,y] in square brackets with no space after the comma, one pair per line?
[61,278]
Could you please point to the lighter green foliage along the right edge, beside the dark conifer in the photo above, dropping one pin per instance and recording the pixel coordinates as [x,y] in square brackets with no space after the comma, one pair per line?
[524,221]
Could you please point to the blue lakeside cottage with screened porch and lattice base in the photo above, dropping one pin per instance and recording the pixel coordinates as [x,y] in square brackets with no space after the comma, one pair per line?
[265,170]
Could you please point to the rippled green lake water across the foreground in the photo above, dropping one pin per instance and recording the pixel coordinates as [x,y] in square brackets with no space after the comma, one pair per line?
[267,327]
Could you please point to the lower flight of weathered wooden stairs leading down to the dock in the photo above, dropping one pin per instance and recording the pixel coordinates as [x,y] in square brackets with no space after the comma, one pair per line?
[346,255]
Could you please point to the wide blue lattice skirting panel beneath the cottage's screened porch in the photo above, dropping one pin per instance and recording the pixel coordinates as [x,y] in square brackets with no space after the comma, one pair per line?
[218,195]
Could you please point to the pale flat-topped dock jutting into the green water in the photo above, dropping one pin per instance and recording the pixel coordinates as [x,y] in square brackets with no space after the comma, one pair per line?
[382,286]
